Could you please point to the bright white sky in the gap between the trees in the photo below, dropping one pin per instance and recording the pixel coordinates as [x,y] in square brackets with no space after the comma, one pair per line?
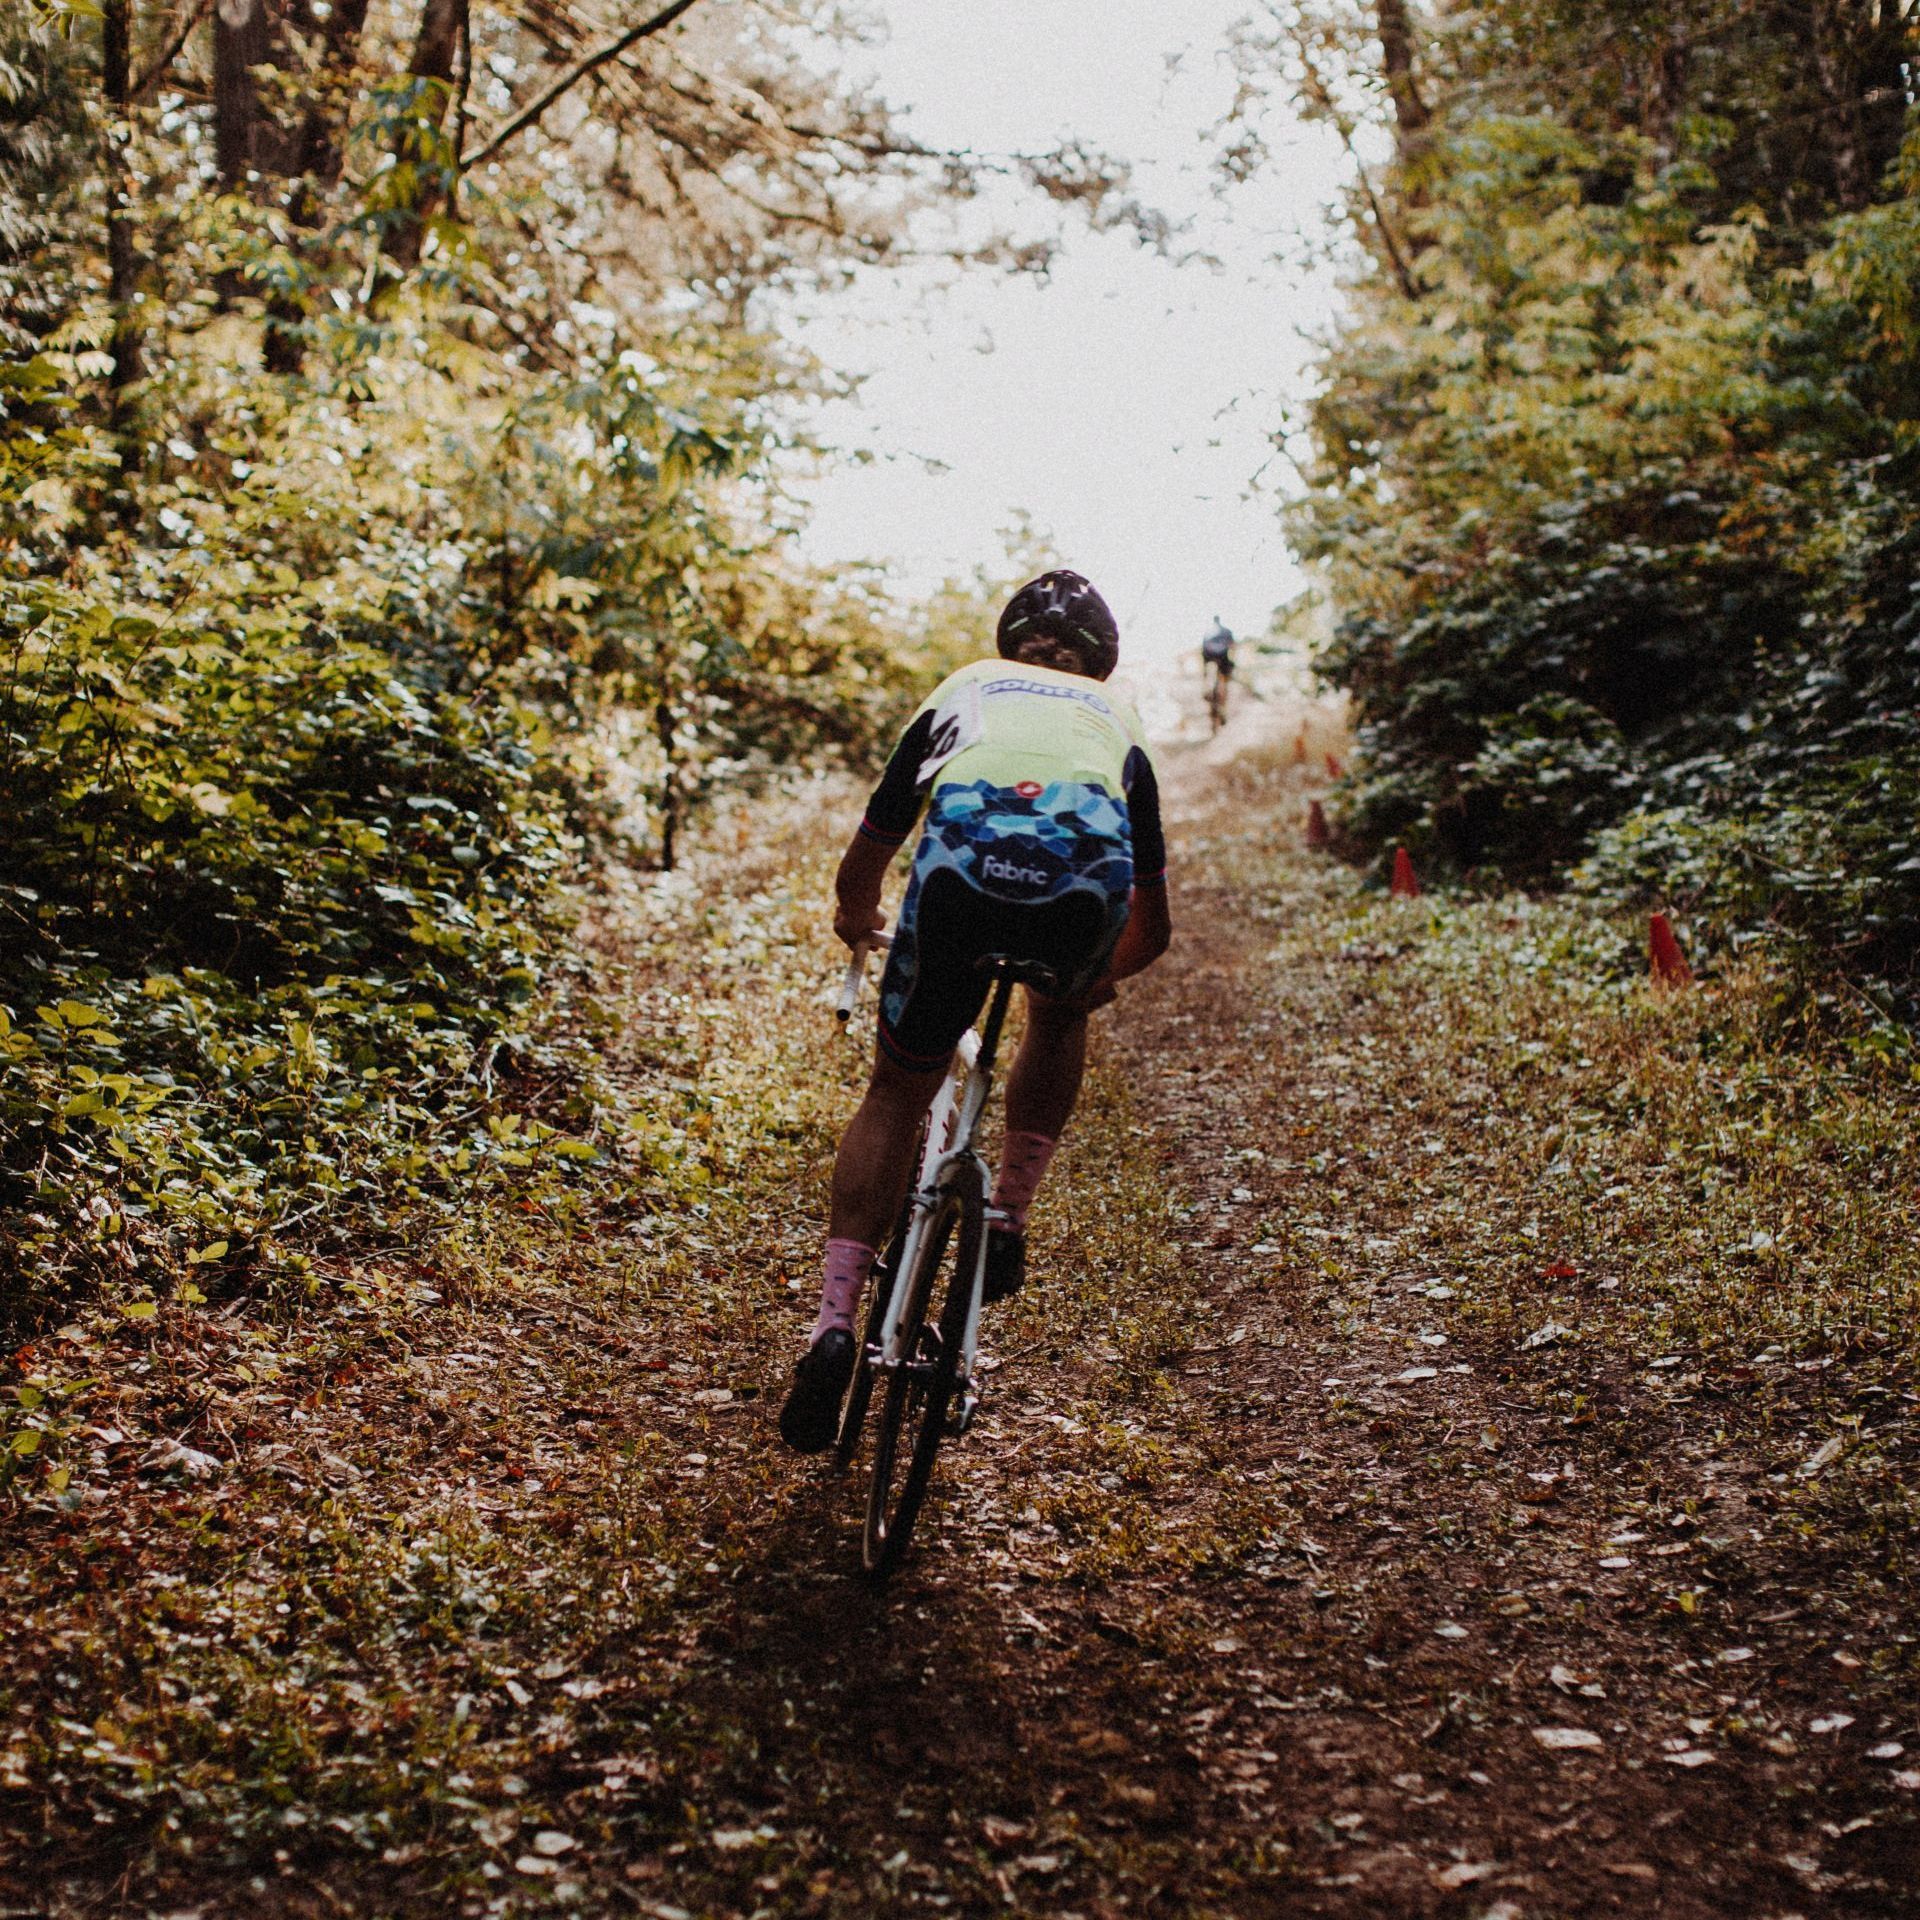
[1126,402]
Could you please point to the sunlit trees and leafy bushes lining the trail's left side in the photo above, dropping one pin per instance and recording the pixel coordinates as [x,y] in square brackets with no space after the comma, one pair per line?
[393,420]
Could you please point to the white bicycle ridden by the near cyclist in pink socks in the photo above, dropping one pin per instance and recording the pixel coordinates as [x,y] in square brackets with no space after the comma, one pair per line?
[924,1355]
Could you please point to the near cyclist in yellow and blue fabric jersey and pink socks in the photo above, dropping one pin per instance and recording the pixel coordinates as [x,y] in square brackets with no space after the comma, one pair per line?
[1042,844]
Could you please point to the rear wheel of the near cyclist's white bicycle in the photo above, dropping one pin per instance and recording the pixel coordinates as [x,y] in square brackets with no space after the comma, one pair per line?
[936,1301]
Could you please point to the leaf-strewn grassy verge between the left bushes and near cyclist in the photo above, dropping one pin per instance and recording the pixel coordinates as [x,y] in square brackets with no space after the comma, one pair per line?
[377,1583]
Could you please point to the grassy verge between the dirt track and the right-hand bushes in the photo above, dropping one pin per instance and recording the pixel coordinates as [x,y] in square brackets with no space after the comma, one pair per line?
[1671,1197]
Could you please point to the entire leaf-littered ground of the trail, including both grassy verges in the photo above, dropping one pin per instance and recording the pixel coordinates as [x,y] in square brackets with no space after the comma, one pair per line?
[1454,1458]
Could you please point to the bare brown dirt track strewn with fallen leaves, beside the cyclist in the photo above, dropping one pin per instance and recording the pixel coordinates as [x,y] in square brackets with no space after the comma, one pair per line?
[1431,1664]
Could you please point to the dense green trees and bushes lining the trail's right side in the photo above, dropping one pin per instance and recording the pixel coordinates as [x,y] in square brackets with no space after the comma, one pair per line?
[1614,468]
